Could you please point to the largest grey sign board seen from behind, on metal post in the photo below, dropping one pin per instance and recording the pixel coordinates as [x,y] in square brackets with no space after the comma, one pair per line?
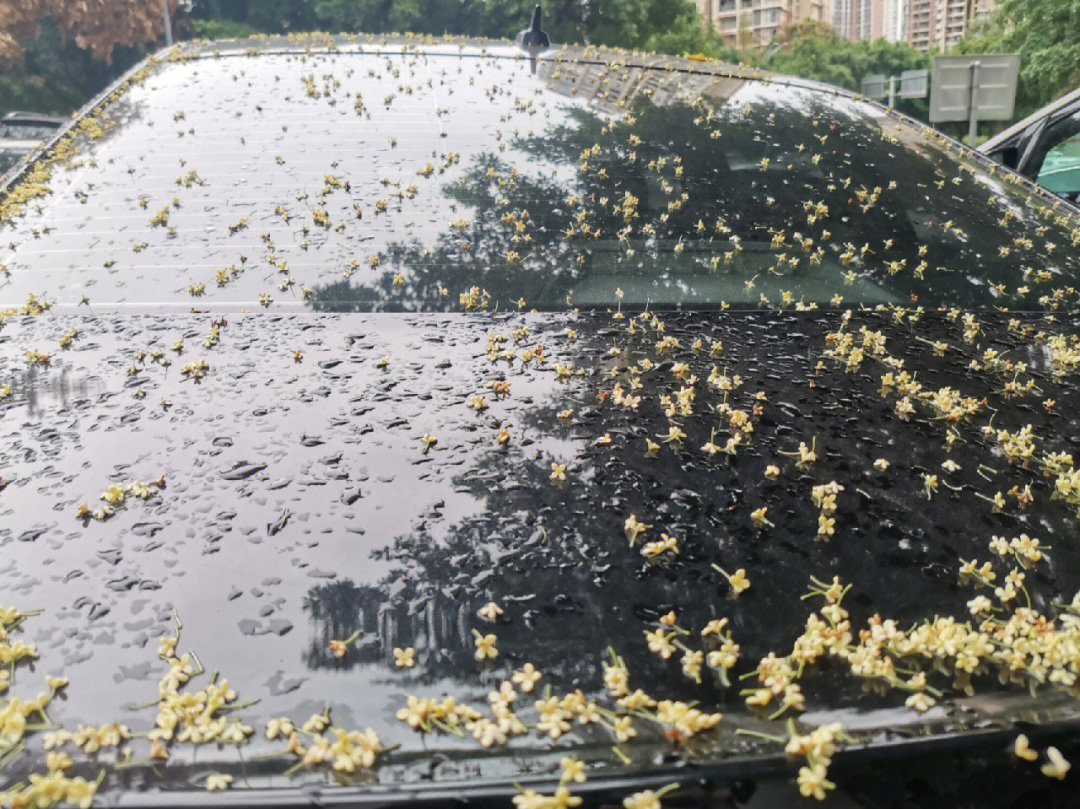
[974,88]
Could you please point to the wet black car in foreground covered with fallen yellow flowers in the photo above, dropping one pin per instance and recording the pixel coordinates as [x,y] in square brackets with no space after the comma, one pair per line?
[399,421]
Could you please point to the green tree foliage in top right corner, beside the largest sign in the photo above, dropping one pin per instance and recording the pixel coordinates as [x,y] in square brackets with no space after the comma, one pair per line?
[1047,36]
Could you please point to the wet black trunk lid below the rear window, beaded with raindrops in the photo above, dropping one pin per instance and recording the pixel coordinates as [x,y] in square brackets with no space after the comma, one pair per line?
[318,478]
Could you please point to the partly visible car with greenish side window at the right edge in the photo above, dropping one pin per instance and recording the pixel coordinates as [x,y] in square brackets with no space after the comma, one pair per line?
[1045,146]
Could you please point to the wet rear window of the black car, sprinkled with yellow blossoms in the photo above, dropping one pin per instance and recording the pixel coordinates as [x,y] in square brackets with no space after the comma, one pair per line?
[390,180]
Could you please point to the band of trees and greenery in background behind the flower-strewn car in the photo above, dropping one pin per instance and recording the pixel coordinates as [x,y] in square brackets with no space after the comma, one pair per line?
[56,55]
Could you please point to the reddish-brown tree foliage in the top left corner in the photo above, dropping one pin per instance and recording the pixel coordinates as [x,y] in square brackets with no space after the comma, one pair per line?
[97,26]
